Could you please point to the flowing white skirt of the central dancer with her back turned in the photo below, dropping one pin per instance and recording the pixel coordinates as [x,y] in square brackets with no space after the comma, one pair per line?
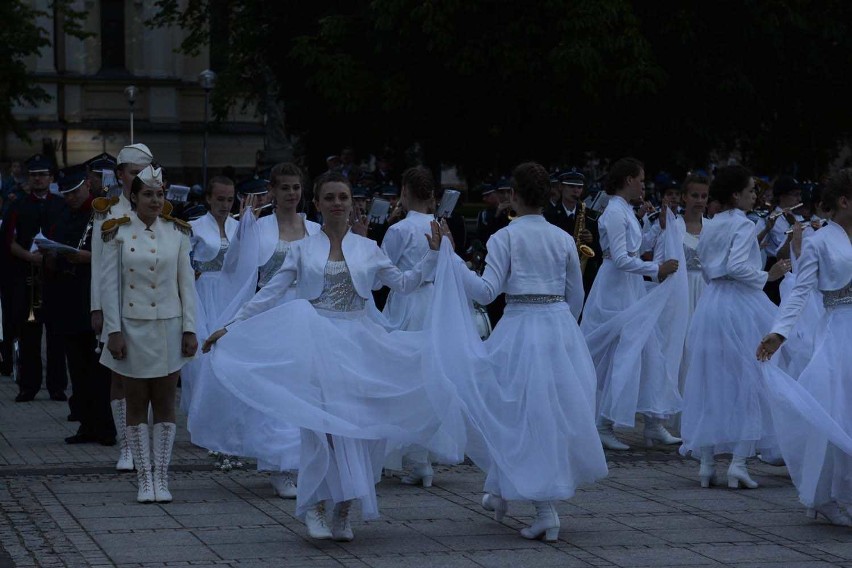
[529,393]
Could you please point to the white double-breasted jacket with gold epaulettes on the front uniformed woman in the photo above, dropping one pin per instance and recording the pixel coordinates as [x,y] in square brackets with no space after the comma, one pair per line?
[147,275]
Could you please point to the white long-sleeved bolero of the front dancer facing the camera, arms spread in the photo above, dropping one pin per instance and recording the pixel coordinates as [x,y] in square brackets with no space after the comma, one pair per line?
[306,261]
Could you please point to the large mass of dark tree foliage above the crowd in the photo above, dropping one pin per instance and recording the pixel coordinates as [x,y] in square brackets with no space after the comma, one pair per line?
[486,83]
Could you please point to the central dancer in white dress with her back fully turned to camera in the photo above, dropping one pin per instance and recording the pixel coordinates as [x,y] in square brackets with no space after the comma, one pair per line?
[530,387]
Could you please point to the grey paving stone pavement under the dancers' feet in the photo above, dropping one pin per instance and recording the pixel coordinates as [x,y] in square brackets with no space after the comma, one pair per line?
[65,506]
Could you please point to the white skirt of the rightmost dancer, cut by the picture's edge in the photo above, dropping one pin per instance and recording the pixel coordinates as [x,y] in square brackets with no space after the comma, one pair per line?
[813,418]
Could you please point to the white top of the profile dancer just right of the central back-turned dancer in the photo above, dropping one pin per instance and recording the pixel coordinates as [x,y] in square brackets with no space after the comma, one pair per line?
[621,238]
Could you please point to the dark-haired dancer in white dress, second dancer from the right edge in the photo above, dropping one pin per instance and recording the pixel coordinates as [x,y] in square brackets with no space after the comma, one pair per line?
[725,411]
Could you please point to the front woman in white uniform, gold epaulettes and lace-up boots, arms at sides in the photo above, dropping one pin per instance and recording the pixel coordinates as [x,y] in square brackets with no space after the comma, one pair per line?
[149,317]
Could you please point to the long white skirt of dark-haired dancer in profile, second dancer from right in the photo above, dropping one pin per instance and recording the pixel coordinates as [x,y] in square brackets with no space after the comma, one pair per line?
[724,404]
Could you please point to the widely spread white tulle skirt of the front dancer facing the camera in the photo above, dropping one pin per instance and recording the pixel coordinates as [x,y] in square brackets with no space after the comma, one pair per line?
[352,387]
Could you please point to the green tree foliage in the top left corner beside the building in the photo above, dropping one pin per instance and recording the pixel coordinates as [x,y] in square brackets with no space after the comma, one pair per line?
[20,37]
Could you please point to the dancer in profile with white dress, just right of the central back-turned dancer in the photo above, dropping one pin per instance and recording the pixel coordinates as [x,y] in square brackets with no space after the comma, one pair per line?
[621,321]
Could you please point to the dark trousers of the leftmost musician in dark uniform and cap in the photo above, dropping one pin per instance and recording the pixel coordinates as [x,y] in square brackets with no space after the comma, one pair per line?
[29,340]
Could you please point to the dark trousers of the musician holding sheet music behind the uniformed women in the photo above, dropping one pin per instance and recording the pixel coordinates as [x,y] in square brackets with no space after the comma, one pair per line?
[90,383]
